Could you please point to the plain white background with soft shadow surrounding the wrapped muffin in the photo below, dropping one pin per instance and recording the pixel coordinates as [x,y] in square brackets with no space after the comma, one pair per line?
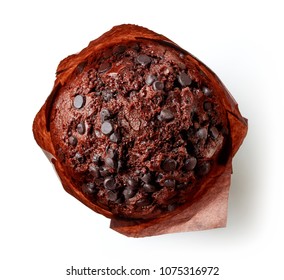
[44,230]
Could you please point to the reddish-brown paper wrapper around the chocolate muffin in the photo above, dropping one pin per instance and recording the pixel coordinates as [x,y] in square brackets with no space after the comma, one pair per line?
[209,208]
